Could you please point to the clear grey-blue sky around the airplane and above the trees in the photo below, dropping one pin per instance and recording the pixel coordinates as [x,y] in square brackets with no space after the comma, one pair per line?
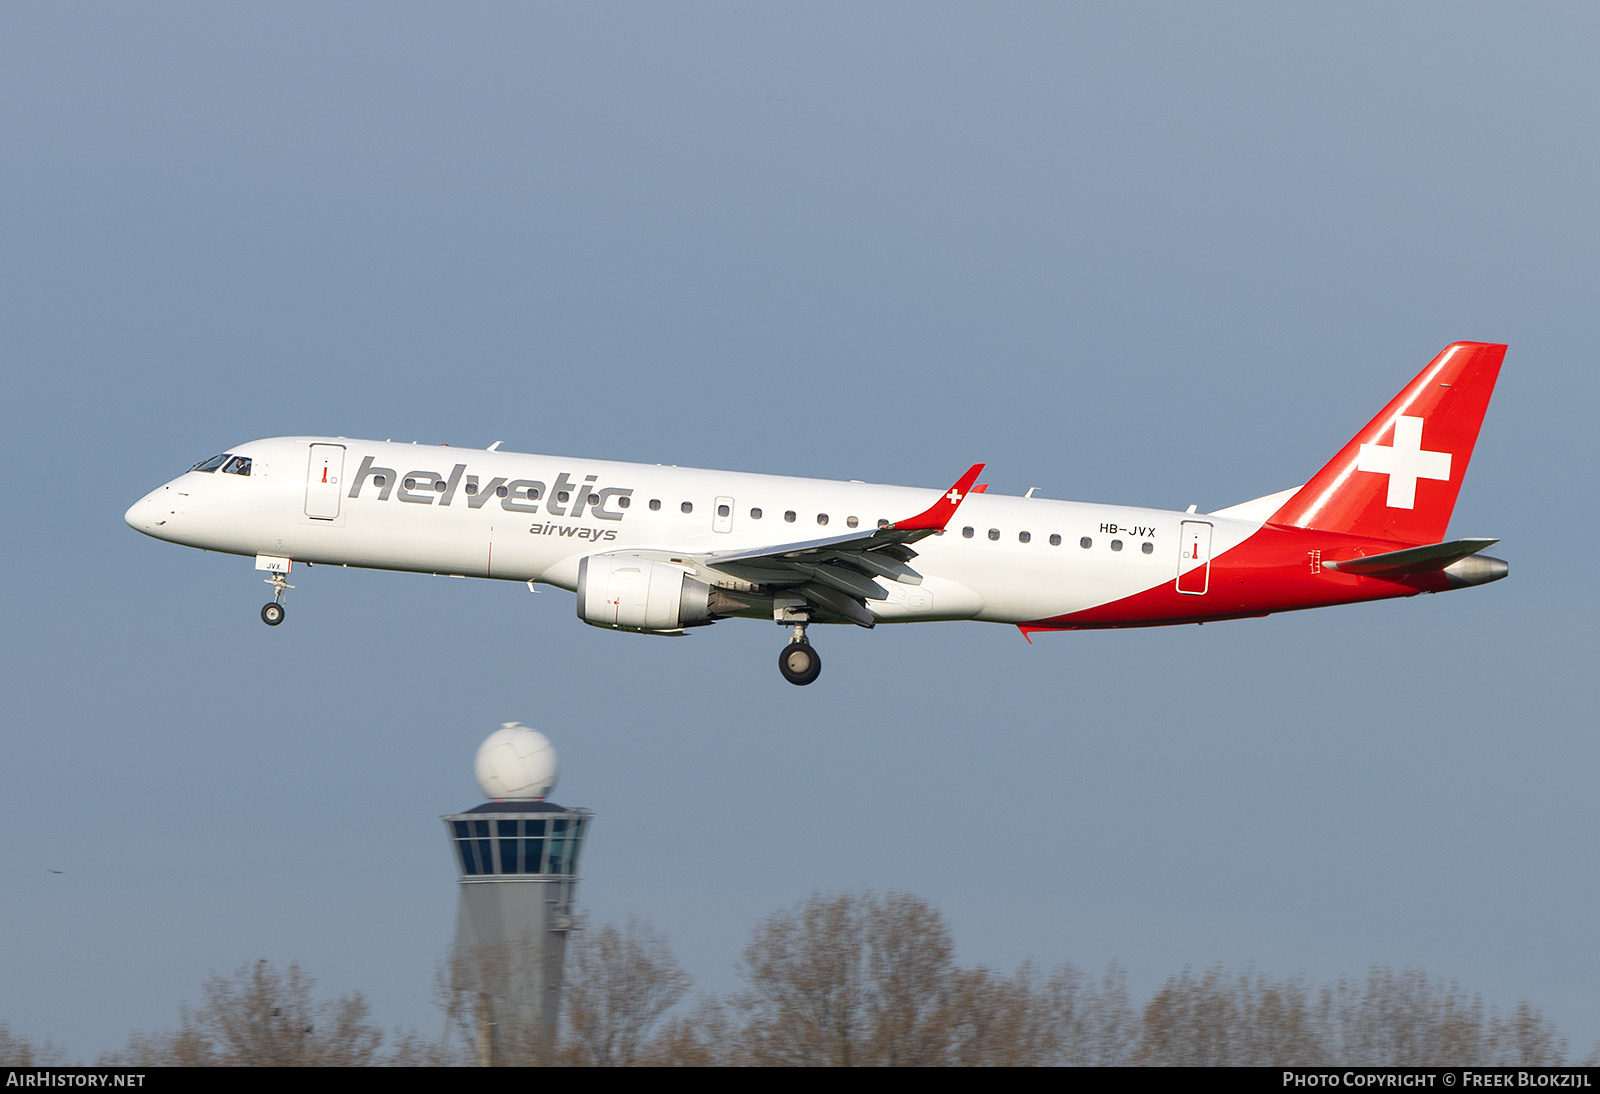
[1134,254]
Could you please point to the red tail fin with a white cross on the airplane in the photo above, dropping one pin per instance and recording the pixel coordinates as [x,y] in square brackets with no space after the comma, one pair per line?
[1399,477]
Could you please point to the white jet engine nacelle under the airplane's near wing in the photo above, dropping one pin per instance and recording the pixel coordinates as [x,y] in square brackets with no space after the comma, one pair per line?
[638,594]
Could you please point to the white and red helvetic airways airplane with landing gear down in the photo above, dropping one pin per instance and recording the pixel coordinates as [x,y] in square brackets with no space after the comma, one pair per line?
[660,551]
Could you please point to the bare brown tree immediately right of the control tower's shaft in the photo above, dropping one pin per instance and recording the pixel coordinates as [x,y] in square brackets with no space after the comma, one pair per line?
[618,986]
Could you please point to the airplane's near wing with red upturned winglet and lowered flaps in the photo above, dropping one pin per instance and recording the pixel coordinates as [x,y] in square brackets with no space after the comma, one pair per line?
[836,575]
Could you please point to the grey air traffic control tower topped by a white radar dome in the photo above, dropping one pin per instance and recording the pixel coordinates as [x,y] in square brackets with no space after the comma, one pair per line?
[519,882]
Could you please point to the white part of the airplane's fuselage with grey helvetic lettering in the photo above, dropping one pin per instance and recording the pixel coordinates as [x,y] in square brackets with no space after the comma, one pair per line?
[490,514]
